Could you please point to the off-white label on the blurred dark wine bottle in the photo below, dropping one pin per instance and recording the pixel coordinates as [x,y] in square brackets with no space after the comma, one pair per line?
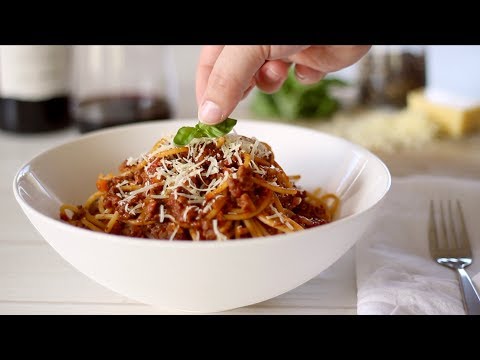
[34,73]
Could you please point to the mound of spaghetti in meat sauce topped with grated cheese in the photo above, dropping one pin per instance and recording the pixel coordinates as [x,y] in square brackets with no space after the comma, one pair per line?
[212,189]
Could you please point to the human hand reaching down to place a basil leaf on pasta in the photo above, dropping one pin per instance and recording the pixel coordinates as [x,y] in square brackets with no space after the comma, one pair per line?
[226,74]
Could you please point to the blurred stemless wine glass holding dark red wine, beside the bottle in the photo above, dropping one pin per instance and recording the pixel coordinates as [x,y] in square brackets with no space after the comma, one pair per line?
[116,85]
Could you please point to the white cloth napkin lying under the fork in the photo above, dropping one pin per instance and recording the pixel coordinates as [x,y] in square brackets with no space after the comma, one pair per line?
[395,273]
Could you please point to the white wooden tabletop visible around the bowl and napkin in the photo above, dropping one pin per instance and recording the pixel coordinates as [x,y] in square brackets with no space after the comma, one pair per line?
[34,279]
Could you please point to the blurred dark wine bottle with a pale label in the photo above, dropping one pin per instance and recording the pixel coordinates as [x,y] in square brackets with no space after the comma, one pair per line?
[34,91]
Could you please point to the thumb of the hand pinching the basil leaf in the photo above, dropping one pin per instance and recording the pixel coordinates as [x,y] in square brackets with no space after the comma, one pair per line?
[231,75]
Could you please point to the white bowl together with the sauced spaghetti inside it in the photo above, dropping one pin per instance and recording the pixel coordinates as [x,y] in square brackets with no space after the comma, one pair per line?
[215,273]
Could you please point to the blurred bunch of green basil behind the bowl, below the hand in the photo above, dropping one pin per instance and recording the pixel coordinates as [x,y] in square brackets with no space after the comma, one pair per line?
[298,101]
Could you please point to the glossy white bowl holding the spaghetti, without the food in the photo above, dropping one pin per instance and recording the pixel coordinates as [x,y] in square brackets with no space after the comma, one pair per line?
[204,276]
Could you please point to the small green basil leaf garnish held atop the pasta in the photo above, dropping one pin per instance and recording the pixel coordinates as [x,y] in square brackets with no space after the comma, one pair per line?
[187,133]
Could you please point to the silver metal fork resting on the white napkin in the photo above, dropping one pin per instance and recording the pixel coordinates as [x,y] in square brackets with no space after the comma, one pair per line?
[451,248]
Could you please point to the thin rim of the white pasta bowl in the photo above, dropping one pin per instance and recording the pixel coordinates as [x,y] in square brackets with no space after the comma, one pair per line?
[182,243]
